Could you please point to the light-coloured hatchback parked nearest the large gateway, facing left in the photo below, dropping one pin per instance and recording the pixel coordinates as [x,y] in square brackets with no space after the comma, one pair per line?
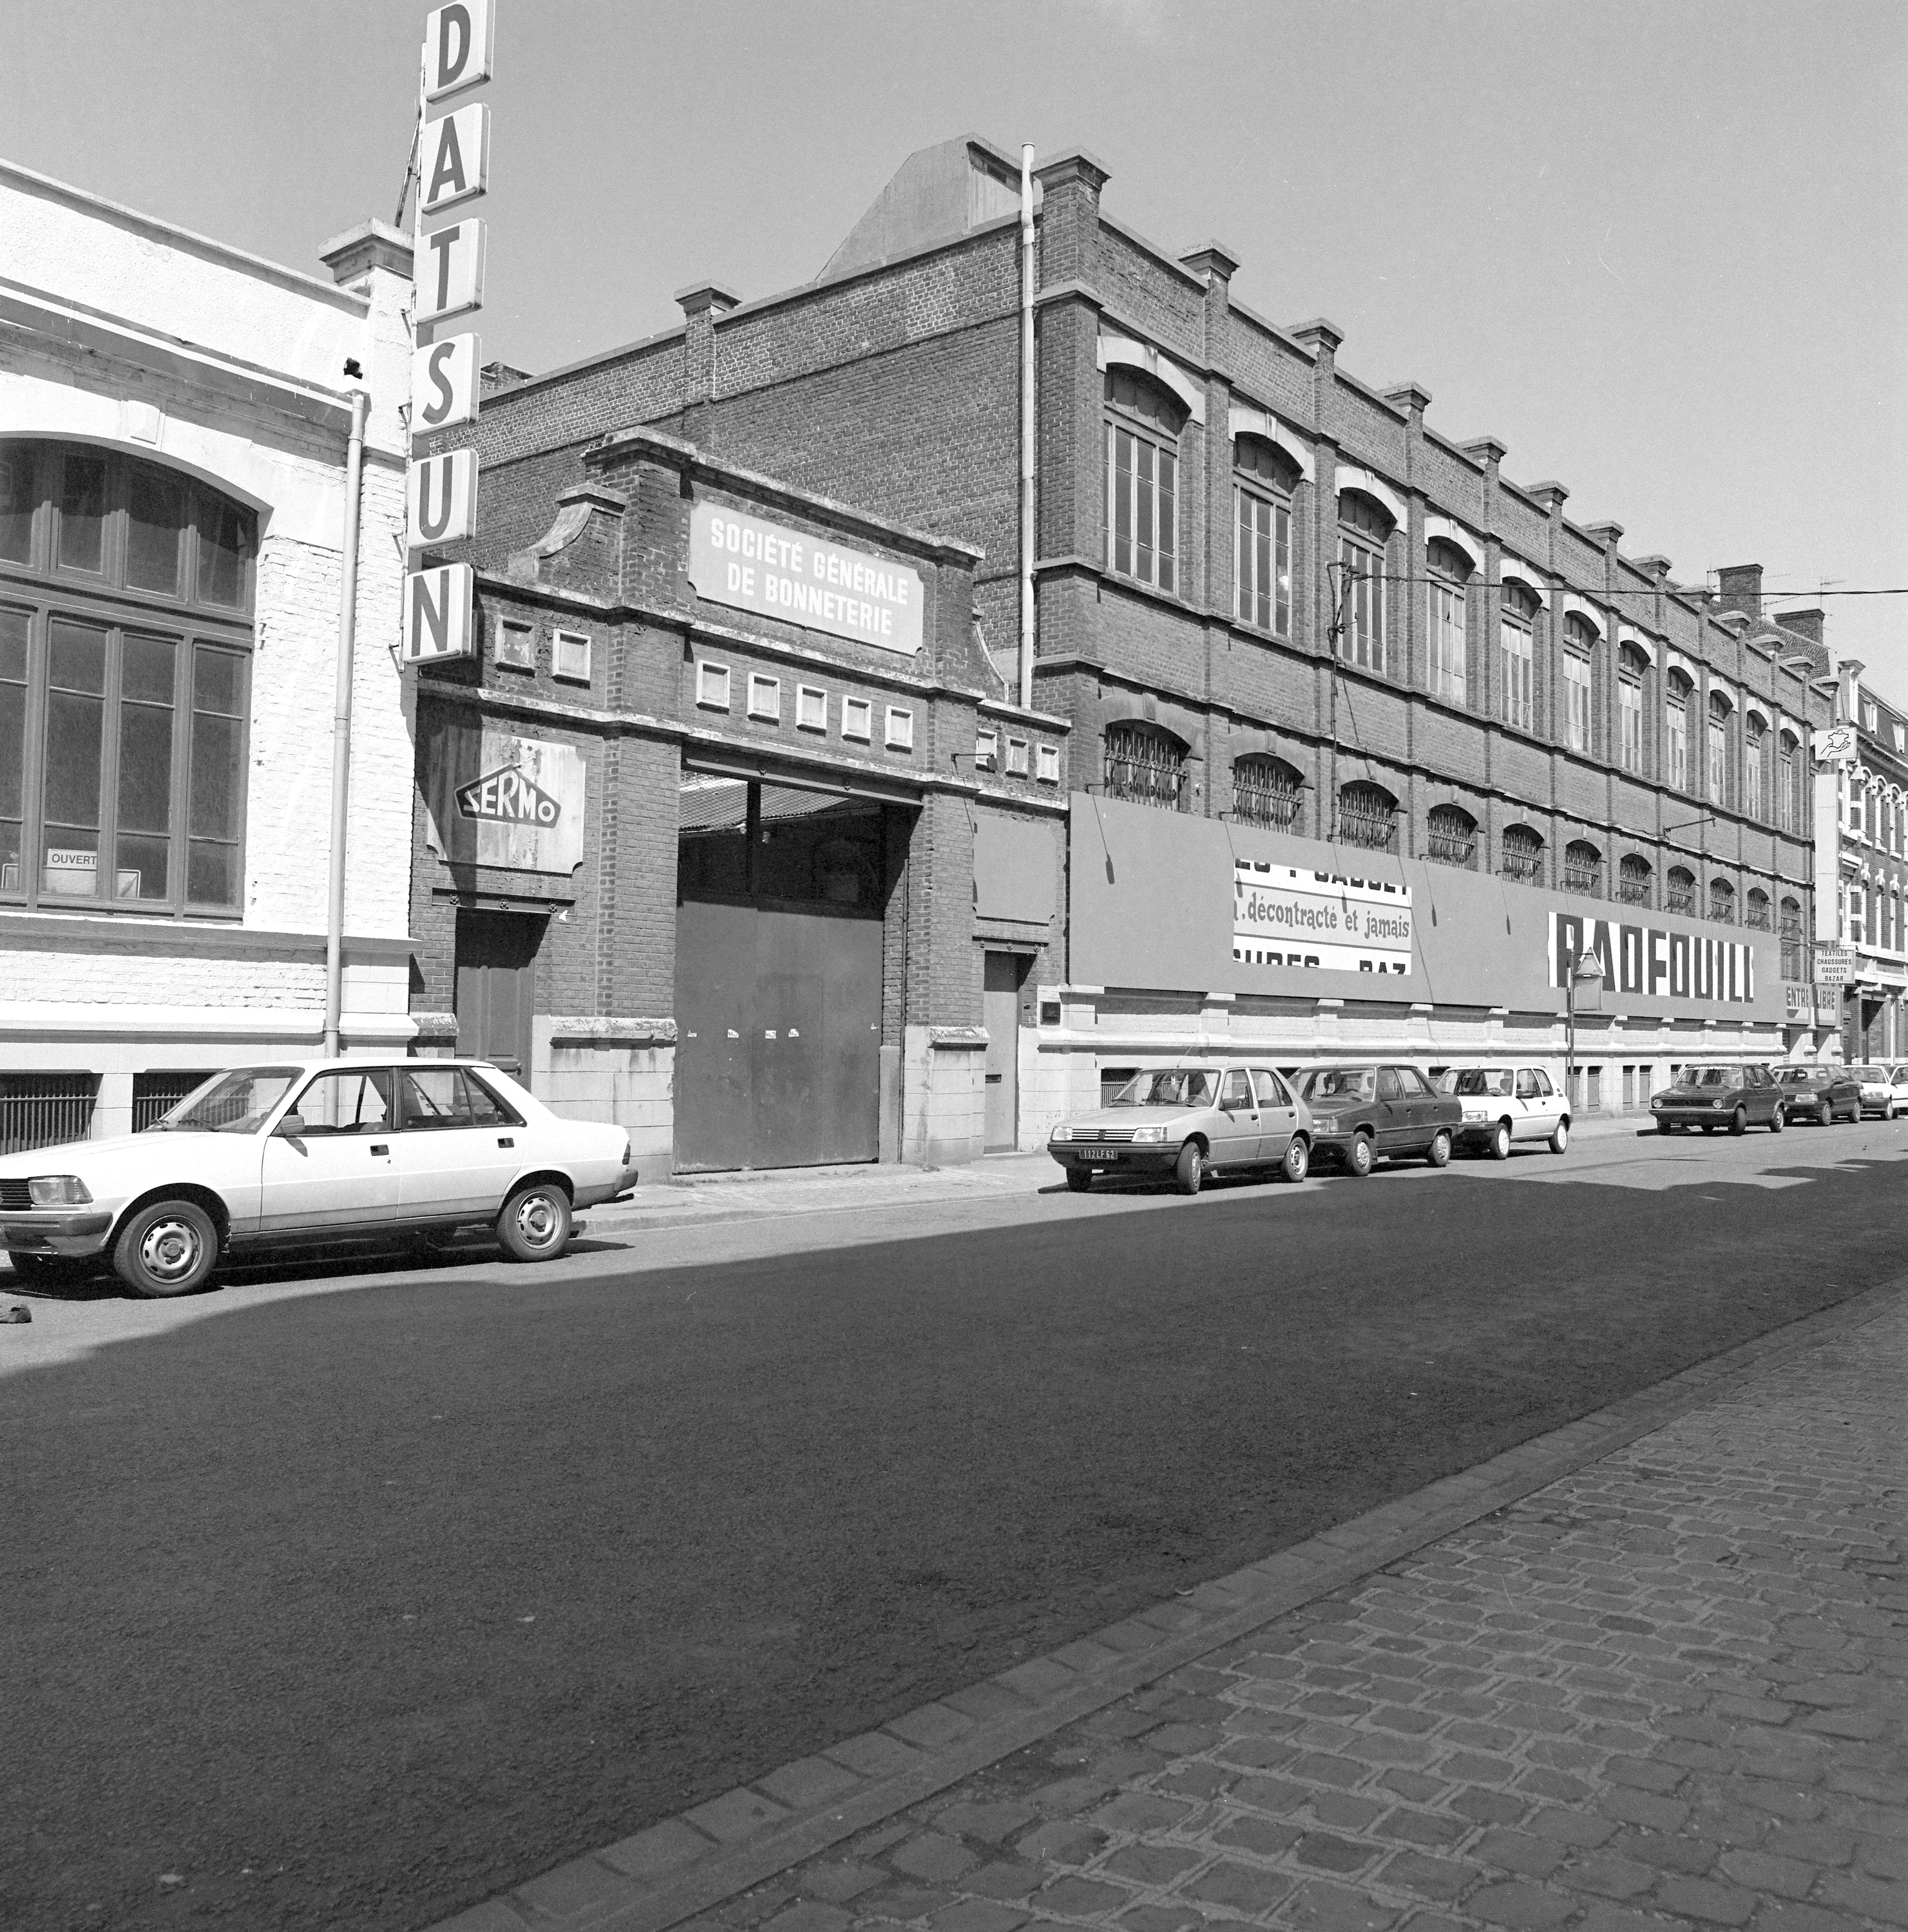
[1190,1123]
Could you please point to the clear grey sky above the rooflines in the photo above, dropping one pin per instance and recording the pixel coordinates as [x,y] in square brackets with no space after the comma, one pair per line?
[1660,250]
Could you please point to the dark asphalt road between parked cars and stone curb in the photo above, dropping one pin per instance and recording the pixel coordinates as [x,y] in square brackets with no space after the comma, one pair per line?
[351,1601]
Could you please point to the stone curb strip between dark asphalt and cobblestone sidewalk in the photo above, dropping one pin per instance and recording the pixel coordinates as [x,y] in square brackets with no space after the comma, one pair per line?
[693,1861]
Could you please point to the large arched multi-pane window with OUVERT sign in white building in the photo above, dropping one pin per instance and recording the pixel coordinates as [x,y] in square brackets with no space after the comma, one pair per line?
[125,683]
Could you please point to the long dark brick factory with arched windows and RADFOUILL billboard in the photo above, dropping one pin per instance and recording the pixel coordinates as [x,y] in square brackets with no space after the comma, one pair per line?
[1368,741]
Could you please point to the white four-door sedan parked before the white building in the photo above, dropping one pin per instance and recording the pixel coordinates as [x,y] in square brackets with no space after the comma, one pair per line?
[303,1154]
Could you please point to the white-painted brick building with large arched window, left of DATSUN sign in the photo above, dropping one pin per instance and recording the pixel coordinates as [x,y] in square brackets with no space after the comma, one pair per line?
[173,455]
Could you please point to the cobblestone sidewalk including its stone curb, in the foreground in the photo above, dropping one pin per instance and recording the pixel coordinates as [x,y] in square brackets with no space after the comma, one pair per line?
[1650,1670]
